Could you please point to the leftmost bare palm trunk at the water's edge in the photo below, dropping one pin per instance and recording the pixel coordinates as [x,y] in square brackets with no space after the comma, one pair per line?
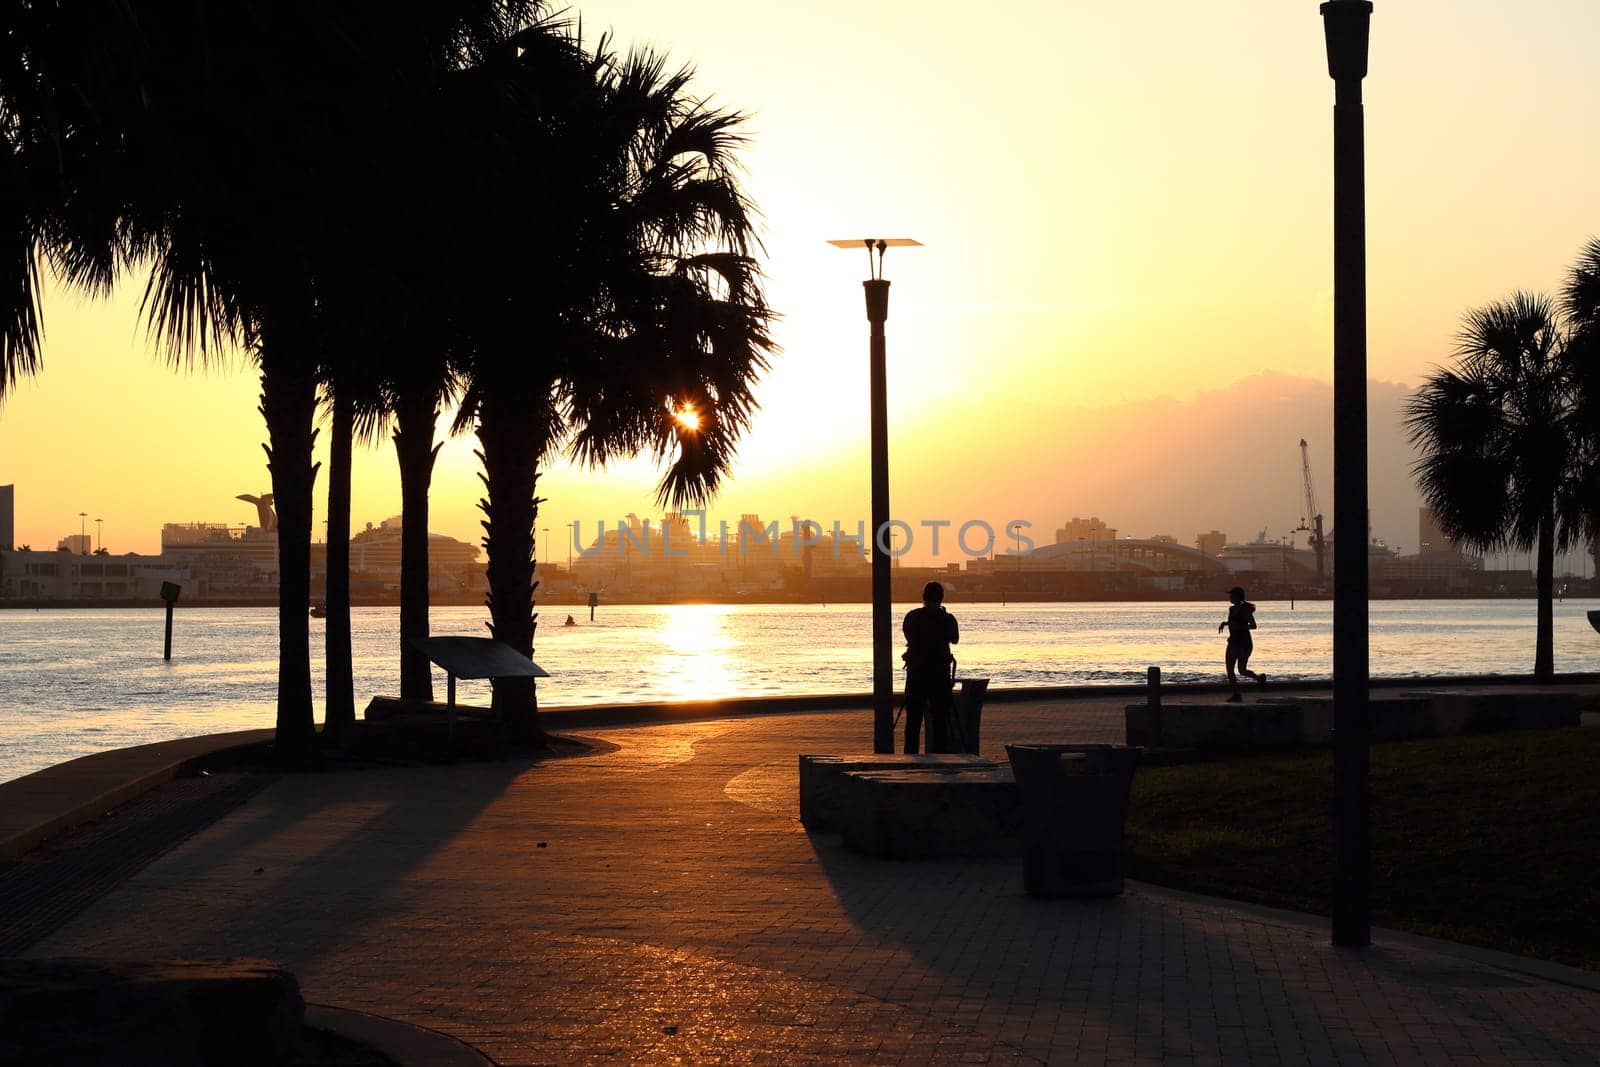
[289,402]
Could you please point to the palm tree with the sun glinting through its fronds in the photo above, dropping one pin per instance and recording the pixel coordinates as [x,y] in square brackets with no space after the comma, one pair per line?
[628,321]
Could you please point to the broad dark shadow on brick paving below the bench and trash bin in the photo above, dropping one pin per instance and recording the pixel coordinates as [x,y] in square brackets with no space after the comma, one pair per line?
[1169,975]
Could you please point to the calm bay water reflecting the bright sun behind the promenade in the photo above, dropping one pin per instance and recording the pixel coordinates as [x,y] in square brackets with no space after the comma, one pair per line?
[78,682]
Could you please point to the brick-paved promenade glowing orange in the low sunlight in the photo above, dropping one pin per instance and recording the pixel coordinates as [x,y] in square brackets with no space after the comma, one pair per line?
[660,903]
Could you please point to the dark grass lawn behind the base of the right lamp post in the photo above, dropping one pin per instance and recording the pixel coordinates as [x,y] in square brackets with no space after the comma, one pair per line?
[1490,841]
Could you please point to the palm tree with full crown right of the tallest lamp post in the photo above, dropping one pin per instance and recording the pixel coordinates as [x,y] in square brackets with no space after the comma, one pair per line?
[1502,442]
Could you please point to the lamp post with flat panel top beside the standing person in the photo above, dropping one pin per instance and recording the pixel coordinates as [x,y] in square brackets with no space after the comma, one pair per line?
[878,290]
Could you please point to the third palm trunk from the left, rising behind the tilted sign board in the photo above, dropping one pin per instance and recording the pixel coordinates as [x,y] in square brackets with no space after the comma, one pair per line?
[415,420]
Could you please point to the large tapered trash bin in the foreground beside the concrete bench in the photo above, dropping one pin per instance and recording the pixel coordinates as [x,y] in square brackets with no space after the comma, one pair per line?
[1074,807]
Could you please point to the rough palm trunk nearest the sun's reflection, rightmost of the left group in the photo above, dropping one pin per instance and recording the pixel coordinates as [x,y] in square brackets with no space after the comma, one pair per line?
[511,476]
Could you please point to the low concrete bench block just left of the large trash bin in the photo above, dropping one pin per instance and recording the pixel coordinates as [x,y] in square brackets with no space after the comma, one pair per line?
[916,815]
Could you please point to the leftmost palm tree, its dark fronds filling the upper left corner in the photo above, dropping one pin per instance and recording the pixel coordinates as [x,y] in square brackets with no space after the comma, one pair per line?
[225,148]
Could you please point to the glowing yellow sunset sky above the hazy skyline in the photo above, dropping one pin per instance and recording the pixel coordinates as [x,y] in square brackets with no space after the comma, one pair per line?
[1119,202]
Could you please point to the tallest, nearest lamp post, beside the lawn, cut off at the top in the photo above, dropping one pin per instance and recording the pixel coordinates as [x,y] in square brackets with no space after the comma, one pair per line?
[1346,26]
